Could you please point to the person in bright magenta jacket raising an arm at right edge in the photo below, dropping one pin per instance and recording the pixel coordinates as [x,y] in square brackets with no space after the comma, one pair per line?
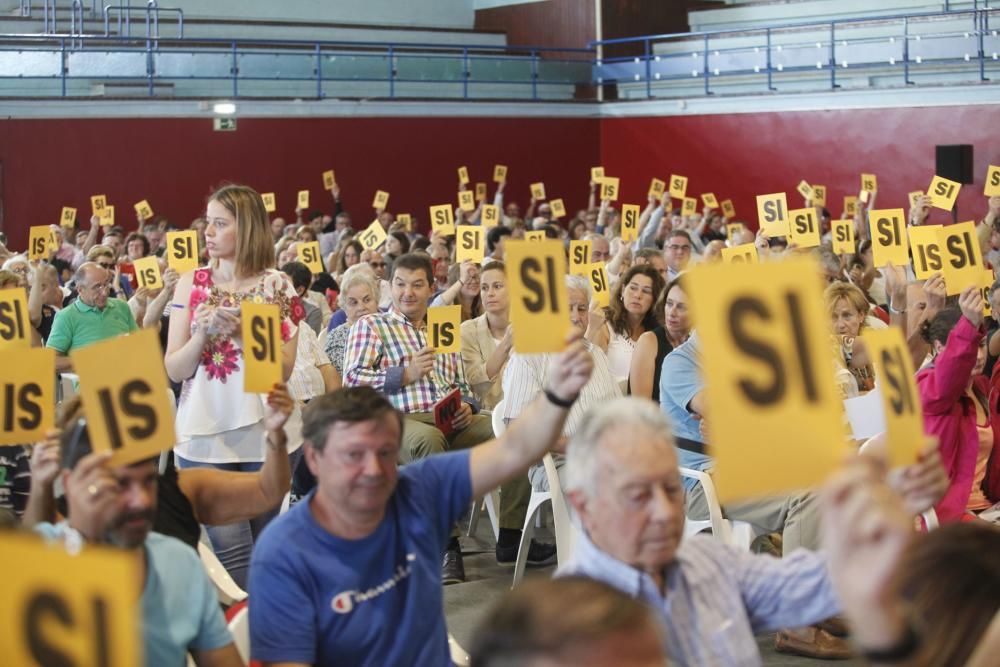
[955,397]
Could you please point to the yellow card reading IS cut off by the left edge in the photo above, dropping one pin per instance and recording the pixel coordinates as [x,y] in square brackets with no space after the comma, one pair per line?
[28,390]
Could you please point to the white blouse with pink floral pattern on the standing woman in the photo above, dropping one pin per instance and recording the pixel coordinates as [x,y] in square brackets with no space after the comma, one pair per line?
[212,401]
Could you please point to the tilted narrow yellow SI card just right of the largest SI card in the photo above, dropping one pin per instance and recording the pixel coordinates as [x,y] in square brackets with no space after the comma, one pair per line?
[904,422]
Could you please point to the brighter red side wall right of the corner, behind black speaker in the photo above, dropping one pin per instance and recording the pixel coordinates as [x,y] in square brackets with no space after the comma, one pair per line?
[740,156]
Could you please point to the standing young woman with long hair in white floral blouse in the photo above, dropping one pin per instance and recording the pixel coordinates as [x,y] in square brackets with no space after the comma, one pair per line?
[218,424]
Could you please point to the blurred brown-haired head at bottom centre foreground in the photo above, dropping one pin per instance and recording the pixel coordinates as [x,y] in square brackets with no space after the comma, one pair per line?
[557,619]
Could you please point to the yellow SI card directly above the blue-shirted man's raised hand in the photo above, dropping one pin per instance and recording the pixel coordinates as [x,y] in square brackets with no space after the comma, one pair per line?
[539,307]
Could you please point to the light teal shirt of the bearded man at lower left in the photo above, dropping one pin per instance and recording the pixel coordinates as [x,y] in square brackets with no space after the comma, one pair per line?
[180,609]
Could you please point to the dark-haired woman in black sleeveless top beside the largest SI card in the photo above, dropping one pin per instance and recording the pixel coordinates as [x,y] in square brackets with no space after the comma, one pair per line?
[653,346]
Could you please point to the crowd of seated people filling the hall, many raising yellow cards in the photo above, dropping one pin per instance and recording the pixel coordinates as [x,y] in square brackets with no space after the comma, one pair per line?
[374,481]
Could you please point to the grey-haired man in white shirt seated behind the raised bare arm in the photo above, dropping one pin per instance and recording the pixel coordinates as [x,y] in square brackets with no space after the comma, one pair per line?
[525,374]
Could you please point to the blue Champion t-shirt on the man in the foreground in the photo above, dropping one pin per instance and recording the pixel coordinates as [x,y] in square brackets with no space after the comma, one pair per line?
[322,600]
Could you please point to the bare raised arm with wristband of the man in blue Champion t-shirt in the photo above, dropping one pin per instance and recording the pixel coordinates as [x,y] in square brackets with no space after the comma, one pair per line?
[536,431]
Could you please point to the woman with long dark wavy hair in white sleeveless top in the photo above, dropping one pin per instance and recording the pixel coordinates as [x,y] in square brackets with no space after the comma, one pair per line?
[630,315]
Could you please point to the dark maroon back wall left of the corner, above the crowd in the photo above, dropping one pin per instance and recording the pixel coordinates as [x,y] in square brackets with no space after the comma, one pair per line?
[175,163]
